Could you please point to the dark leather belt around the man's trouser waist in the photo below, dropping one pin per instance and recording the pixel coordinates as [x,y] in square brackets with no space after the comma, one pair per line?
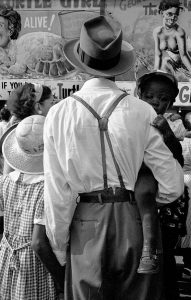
[107,196]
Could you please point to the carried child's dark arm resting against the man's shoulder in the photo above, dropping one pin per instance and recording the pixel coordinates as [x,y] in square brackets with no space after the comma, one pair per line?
[169,138]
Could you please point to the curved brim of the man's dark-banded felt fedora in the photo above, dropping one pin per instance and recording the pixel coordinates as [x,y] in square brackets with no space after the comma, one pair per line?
[126,62]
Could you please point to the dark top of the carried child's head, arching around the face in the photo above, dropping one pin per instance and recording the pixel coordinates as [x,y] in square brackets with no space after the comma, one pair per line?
[159,78]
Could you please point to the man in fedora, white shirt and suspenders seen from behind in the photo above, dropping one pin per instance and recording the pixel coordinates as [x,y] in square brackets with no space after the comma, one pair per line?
[95,143]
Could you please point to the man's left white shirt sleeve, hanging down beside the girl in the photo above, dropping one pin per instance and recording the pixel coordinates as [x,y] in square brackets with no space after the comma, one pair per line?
[57,197]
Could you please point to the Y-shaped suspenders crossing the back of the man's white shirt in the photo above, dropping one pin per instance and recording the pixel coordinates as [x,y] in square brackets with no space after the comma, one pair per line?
[103,125]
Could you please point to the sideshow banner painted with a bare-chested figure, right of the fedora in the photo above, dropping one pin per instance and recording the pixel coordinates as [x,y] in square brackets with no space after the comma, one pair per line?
[160,32]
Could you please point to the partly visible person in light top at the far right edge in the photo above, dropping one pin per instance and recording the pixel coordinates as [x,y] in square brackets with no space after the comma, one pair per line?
[186,241]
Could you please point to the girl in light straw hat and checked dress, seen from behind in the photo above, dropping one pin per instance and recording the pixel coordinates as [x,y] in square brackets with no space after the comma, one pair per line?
[22,275]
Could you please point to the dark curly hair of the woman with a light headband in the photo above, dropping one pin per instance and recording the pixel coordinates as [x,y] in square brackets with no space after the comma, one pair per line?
[22,100]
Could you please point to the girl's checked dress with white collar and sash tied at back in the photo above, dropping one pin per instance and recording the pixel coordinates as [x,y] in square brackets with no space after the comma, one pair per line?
[22,275]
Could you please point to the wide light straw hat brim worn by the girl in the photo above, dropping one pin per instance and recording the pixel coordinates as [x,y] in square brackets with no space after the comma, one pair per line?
[19,160]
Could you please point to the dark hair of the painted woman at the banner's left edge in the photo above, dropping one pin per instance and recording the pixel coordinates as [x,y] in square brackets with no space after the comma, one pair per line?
[14,20]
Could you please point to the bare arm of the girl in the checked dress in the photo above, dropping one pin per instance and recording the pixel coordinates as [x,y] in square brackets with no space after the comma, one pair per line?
[41,246]
